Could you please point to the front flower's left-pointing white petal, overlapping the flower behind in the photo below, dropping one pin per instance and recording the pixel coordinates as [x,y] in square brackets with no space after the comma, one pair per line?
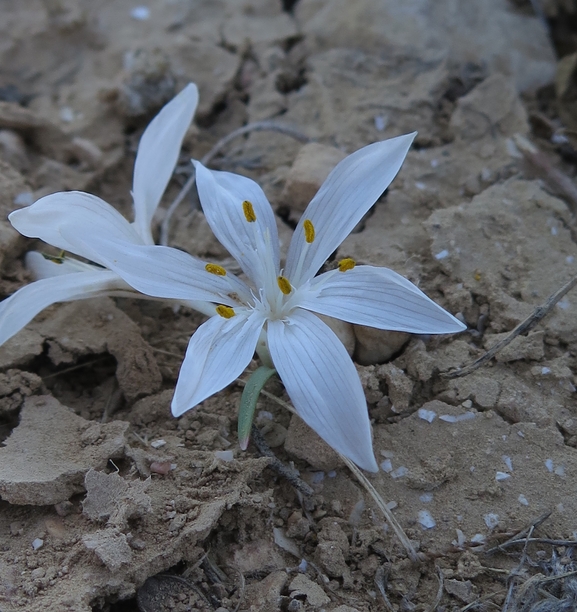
[168,273]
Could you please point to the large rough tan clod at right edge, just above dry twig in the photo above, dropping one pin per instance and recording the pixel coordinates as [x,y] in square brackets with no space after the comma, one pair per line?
[512,246]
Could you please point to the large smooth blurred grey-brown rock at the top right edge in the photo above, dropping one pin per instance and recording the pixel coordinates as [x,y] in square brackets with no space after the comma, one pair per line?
[490,32]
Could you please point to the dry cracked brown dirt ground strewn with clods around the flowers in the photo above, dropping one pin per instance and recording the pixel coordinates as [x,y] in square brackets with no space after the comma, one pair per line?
[108,503]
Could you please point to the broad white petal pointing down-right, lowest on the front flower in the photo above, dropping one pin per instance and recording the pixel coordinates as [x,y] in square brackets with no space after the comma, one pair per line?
[323,384]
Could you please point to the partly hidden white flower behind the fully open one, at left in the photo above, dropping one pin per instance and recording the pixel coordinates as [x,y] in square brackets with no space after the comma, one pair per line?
[65,279]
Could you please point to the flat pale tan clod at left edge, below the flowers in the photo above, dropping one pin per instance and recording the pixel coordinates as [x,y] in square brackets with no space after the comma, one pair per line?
[46,457]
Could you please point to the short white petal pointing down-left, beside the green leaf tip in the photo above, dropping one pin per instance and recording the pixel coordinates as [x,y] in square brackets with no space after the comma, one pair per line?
[217,354]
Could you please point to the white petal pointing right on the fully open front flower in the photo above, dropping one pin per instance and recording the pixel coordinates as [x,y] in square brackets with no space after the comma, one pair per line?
[377,297]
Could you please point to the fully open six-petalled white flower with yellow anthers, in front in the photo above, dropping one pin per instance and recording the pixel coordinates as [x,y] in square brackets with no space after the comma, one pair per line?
[274,313]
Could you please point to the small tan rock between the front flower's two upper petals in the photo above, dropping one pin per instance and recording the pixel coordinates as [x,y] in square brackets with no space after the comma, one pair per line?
[311,167]
